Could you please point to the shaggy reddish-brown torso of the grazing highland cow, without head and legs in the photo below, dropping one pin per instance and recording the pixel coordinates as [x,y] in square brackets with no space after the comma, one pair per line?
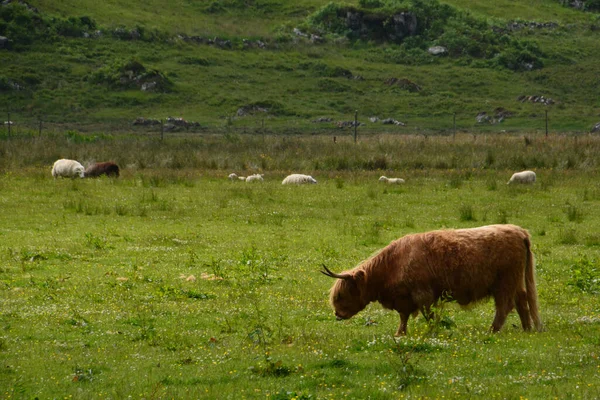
[465,264]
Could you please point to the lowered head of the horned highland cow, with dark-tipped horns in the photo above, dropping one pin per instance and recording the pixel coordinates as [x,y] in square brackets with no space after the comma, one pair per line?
[346,297]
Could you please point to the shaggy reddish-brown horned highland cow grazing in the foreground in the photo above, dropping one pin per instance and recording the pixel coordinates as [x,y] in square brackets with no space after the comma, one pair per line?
[414,272]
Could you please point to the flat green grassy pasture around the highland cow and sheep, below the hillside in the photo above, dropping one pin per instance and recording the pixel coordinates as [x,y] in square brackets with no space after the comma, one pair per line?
[98,298]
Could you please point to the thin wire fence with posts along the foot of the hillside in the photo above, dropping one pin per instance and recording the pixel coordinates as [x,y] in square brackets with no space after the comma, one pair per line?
[19,124]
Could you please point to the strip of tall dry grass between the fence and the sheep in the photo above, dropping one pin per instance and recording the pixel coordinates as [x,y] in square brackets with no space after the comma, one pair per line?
[246,153]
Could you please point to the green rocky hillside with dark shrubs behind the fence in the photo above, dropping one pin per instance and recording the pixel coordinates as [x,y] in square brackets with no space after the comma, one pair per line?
[236,63]
